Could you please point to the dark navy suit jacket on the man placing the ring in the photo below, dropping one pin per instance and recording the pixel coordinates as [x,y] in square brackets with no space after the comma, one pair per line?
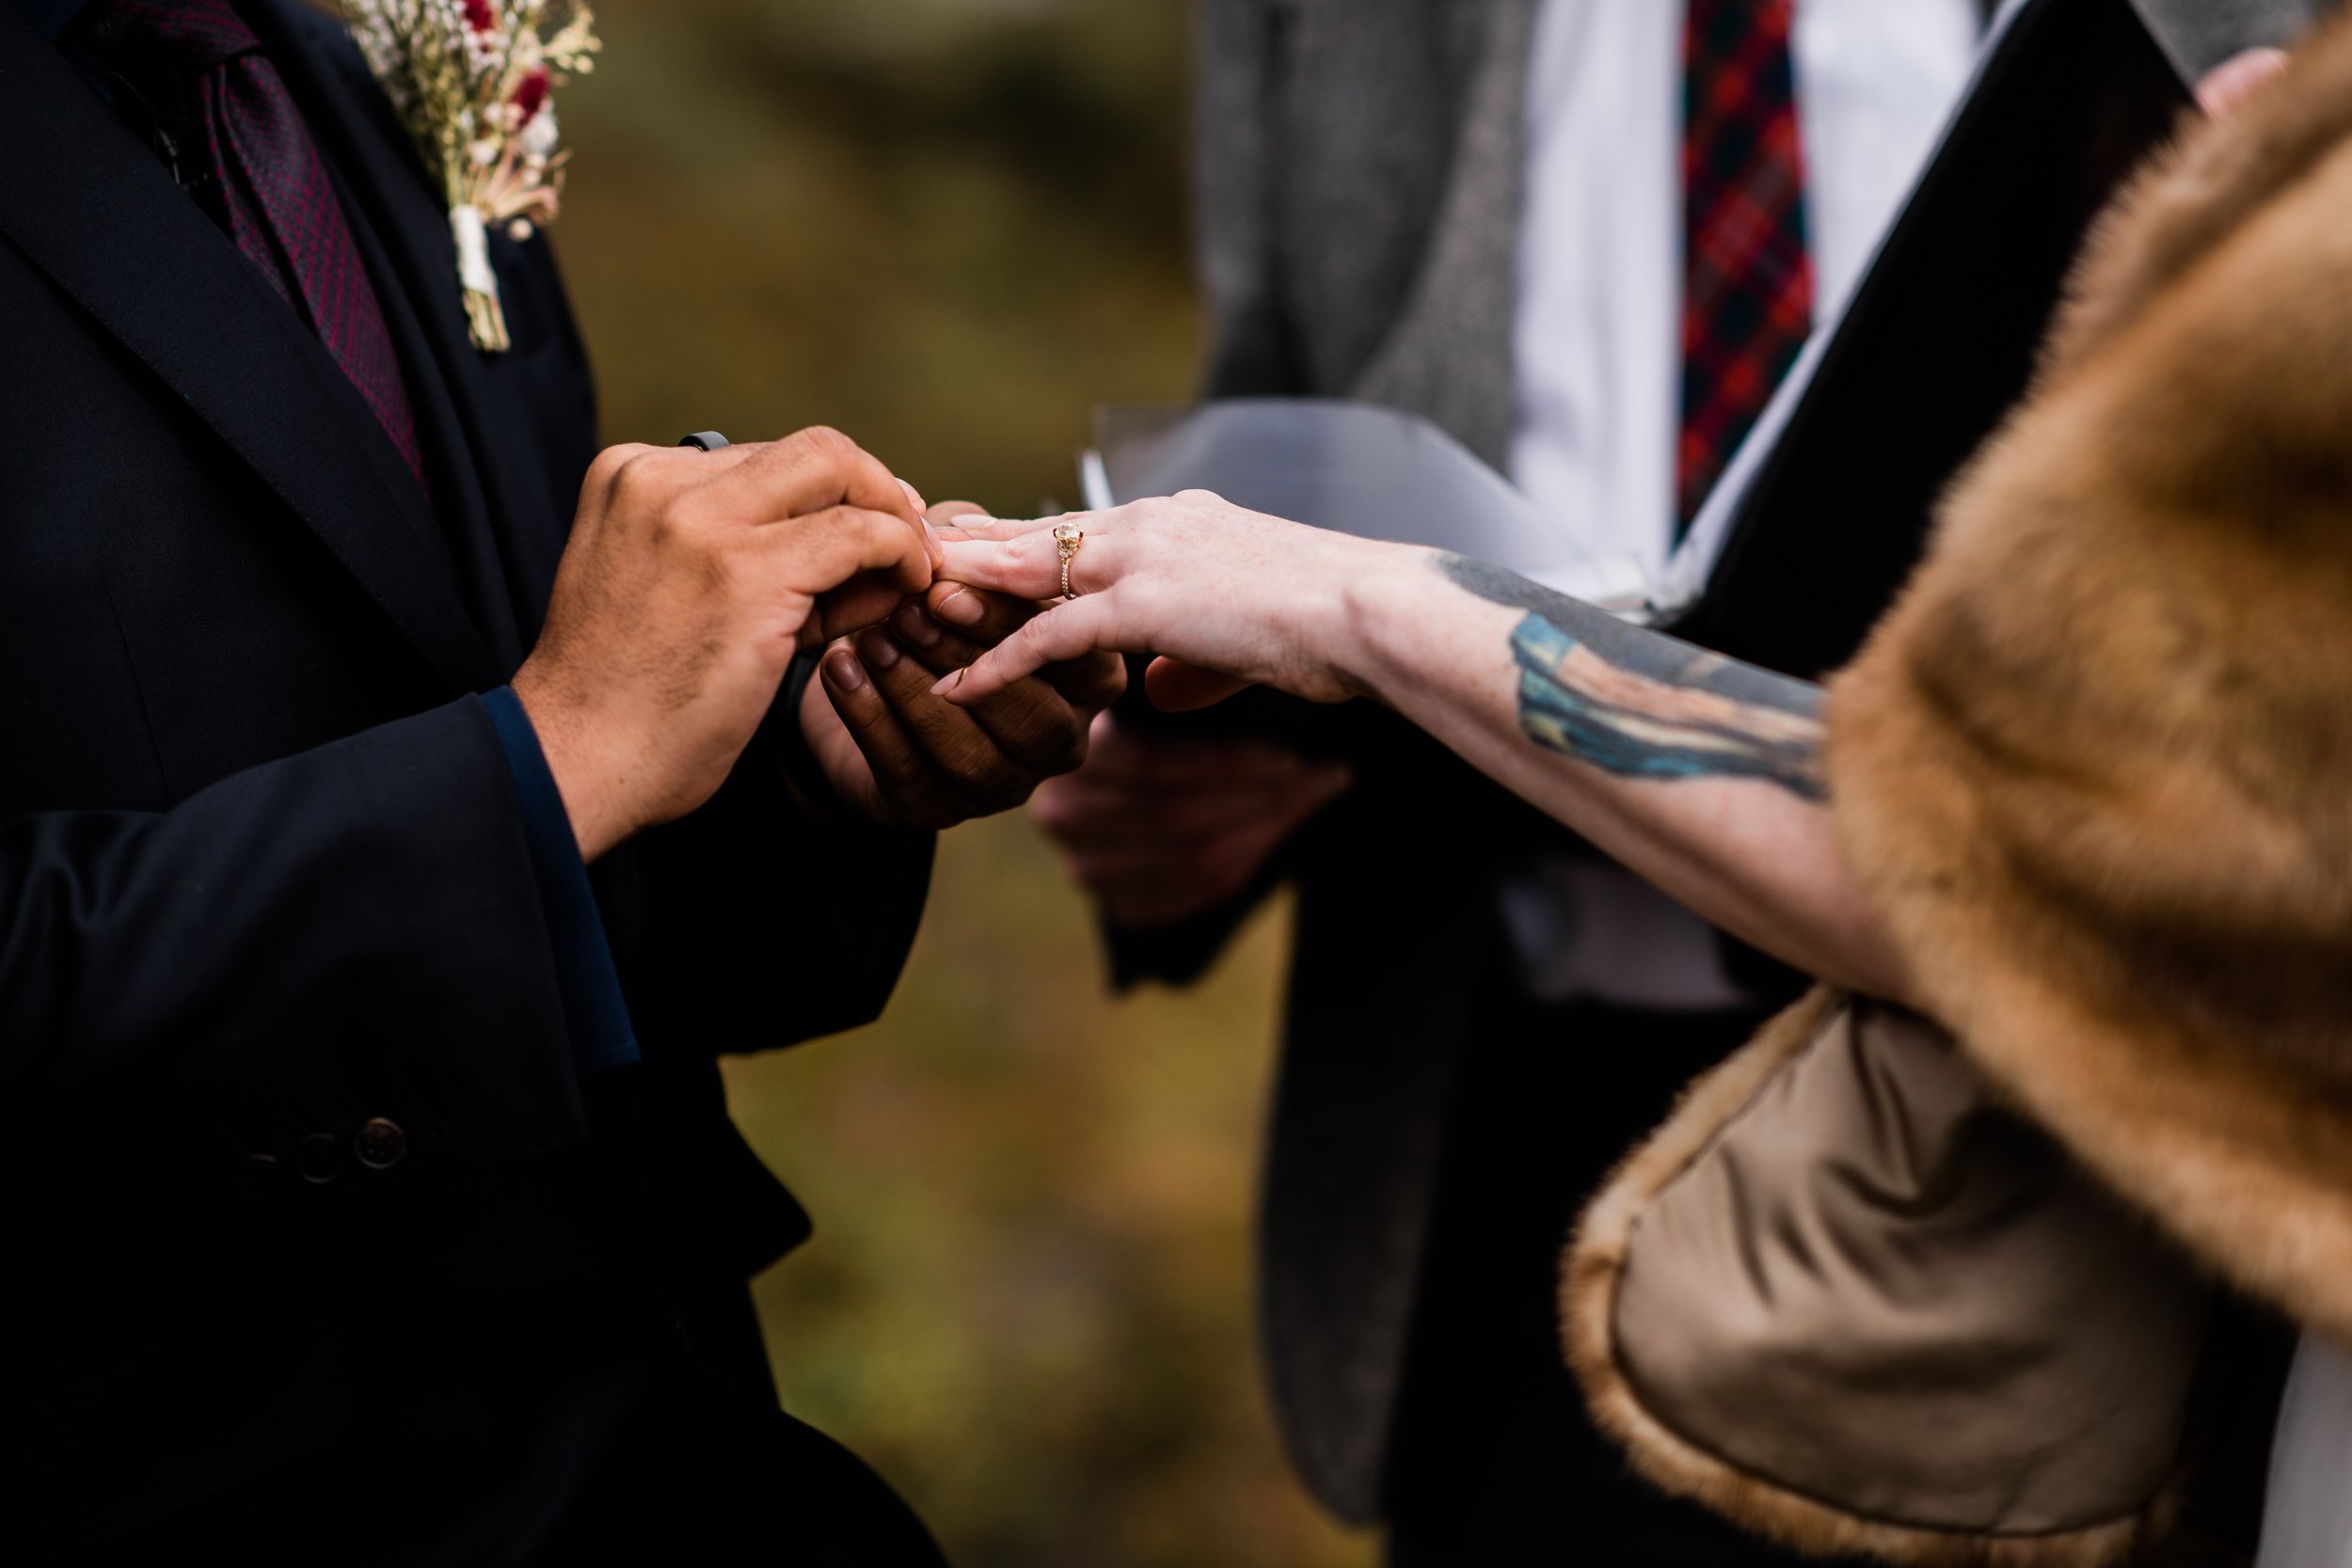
[298,1167]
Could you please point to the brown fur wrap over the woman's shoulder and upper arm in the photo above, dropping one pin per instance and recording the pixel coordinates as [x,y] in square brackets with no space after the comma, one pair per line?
[2097,768]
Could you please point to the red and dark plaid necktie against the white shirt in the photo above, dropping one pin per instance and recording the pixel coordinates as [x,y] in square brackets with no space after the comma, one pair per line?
[1749,286]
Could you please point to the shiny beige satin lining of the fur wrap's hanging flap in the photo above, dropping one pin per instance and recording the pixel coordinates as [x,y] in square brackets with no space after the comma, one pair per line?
[1885,1294]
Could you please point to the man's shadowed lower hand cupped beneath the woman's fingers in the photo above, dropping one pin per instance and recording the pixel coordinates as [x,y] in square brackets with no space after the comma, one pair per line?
[904,756]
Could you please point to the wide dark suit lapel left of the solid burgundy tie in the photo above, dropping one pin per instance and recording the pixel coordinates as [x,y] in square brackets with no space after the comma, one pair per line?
[102,220]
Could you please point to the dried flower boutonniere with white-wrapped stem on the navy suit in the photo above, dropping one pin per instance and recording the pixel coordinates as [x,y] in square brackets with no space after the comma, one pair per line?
[474,83]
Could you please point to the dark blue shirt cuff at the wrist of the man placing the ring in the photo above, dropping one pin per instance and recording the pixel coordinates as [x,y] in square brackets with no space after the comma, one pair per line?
[584,972]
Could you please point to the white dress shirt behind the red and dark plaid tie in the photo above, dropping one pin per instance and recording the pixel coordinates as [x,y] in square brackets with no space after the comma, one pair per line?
[1598,349]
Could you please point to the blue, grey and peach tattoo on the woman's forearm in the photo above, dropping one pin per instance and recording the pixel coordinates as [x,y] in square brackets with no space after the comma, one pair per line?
[1641,704]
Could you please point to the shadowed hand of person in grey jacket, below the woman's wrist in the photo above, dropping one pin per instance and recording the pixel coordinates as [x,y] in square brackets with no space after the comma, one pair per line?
[1163,829]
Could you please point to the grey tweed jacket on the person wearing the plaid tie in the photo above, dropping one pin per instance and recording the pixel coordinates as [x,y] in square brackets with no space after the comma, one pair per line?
[1361,189]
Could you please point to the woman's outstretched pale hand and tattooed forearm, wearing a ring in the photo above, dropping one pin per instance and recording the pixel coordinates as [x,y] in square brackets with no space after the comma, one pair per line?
[1690,770]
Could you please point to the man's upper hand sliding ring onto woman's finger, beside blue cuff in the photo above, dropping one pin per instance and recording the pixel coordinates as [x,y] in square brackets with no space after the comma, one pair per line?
[688,587]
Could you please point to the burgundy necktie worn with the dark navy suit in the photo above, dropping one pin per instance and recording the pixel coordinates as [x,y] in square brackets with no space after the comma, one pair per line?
[267,185]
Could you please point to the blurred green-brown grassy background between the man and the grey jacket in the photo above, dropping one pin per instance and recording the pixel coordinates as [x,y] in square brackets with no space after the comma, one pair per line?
[951,229]
